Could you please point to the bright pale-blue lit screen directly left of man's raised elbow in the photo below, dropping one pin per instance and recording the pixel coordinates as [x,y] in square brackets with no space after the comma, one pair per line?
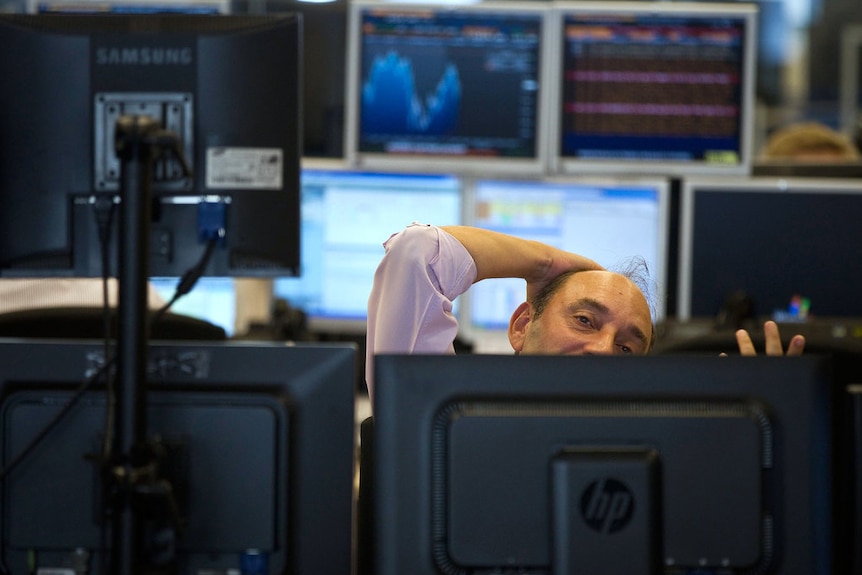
[347,214]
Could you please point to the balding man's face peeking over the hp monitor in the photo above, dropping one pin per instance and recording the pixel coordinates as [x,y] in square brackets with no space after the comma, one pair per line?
[593,313]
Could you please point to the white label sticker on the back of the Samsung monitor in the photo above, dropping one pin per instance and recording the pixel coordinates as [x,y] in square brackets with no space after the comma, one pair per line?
[244,168]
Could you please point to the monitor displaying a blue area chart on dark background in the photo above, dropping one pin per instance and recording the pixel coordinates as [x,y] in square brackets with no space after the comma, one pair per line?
[447,87]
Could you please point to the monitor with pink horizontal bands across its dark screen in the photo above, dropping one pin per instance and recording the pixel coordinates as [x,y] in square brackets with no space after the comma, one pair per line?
[655,87]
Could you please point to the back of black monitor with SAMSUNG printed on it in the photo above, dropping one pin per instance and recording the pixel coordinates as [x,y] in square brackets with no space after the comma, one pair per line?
[227,86]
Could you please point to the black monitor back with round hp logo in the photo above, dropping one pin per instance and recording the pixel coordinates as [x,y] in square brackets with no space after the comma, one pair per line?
[560,465]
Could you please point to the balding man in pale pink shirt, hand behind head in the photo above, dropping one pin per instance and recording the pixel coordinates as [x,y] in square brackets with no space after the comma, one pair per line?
[574,306]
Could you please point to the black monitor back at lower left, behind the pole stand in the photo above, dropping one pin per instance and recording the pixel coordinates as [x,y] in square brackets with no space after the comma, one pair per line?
[259,441]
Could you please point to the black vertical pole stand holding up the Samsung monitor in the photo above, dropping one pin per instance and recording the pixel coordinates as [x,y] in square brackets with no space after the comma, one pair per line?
[132,476]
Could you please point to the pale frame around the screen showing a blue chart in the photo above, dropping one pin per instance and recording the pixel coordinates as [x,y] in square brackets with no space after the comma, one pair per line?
[535,165]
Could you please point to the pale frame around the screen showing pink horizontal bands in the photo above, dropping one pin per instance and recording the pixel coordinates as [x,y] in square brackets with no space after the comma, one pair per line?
[747,12]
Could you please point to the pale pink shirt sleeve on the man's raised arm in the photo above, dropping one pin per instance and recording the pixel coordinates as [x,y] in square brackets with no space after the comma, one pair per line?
[410,307]
